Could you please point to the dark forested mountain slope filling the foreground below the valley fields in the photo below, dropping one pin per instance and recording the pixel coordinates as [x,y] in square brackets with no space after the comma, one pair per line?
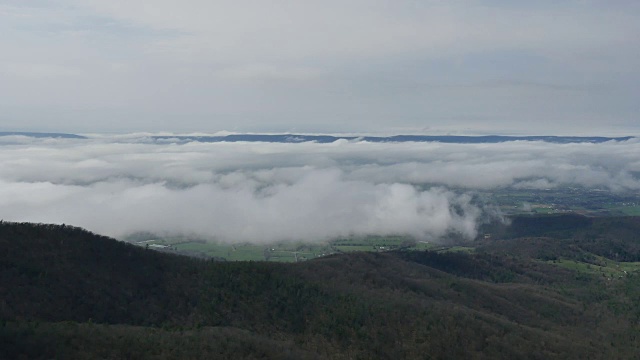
[67,293]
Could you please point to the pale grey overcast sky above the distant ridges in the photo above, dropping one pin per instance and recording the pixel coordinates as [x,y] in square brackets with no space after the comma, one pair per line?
[400,66]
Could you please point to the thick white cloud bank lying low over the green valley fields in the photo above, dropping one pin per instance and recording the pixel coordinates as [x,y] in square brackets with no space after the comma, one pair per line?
[266,192]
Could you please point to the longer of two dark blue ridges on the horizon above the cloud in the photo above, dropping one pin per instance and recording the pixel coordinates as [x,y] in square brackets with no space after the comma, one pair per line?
[325,139]
